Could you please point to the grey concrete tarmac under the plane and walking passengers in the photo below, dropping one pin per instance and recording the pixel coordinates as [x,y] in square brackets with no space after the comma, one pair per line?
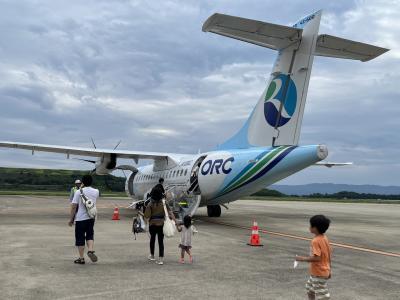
[37,253]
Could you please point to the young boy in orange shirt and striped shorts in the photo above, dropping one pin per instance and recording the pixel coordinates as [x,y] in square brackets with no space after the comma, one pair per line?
[319,259]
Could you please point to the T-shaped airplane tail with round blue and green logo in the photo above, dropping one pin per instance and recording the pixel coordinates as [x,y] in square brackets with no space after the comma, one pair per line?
[276,119]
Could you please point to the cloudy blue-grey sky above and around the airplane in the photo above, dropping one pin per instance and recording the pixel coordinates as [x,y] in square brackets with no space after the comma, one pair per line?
[143,72]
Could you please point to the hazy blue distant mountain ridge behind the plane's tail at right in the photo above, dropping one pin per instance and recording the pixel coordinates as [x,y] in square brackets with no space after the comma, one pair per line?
[332,188]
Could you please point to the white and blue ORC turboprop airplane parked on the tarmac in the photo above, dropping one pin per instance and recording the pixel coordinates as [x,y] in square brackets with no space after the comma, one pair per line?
[265,150]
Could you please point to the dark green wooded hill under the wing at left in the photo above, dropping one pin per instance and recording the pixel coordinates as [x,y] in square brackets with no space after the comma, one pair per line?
[53,180]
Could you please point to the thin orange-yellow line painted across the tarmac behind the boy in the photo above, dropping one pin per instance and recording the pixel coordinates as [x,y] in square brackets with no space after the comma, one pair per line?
[297,237]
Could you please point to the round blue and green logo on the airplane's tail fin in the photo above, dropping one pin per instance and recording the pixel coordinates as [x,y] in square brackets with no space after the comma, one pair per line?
[274,98]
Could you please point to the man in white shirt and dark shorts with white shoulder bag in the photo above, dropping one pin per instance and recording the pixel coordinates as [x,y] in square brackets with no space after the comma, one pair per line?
[84,225]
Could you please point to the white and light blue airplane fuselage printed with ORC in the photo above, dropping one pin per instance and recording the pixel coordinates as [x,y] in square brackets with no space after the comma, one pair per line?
[224,176]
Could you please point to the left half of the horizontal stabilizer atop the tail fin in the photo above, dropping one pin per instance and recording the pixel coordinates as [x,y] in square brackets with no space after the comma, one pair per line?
[263,34]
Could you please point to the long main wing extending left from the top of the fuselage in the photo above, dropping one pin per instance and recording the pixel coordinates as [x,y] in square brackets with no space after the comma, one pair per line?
[136,155]
